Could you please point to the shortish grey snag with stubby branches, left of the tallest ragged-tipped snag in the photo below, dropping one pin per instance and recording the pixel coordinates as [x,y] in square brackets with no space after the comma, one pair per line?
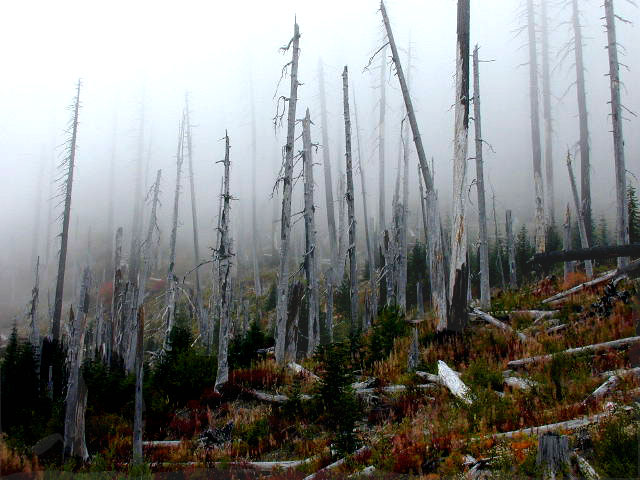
[223,255]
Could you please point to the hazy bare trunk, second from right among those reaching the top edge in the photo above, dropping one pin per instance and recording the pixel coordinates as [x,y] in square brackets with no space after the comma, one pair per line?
[585,153]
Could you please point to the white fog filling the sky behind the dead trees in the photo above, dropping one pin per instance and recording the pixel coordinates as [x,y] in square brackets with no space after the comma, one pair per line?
[139,59]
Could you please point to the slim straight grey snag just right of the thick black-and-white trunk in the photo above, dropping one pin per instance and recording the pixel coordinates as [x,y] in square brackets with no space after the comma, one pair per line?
[485,290]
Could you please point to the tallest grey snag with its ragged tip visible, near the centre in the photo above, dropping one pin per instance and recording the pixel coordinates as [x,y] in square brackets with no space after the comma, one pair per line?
[287,185]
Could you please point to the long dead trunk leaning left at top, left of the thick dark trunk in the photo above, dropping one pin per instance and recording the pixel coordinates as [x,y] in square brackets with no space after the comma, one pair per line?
[435,244]
